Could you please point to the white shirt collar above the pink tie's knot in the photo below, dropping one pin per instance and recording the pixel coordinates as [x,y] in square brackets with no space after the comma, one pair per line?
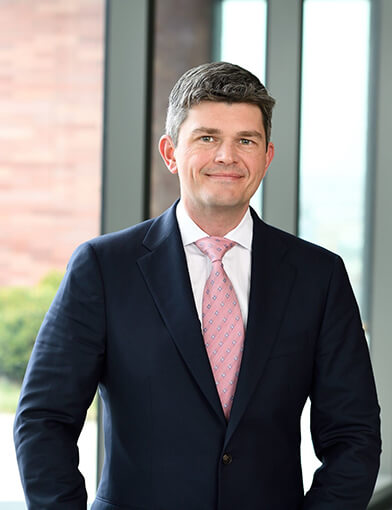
[242,234]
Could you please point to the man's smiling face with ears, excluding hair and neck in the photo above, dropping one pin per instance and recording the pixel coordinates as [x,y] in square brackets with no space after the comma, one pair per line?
[221,156]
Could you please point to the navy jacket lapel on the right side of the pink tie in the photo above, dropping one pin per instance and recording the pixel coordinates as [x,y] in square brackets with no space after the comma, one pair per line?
[272,279]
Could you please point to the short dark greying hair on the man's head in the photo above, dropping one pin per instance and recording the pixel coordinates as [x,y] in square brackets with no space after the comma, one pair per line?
[216,82]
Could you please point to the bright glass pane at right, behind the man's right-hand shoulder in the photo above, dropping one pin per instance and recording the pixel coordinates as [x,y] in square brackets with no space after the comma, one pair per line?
[334,112]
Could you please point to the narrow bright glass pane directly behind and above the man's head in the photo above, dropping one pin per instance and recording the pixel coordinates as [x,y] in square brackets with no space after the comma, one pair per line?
[243,42]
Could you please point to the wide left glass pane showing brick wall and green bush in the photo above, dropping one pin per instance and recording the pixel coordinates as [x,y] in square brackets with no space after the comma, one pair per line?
[51,83]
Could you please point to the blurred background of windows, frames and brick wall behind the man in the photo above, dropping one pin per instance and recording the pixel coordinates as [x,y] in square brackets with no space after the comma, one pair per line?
[83,96]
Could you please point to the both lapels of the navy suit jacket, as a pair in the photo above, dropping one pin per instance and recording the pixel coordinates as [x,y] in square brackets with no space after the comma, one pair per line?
[166,274]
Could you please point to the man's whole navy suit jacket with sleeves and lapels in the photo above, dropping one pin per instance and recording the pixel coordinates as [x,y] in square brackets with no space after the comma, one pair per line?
[124,319]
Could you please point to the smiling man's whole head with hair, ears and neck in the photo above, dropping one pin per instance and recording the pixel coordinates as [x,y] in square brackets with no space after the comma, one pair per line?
[217,141]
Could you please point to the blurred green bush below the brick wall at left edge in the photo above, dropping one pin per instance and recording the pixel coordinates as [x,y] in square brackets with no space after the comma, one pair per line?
[22,310]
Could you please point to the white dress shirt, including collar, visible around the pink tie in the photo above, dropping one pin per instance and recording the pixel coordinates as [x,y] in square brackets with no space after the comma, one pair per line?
[236,261]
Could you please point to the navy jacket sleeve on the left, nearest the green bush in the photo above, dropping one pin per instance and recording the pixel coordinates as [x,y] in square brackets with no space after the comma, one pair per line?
[59,385]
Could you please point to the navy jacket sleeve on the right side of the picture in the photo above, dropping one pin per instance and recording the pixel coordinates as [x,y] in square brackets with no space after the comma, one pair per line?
[344,409]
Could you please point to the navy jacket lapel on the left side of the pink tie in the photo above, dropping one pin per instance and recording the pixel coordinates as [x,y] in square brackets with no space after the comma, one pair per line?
[166,274]
